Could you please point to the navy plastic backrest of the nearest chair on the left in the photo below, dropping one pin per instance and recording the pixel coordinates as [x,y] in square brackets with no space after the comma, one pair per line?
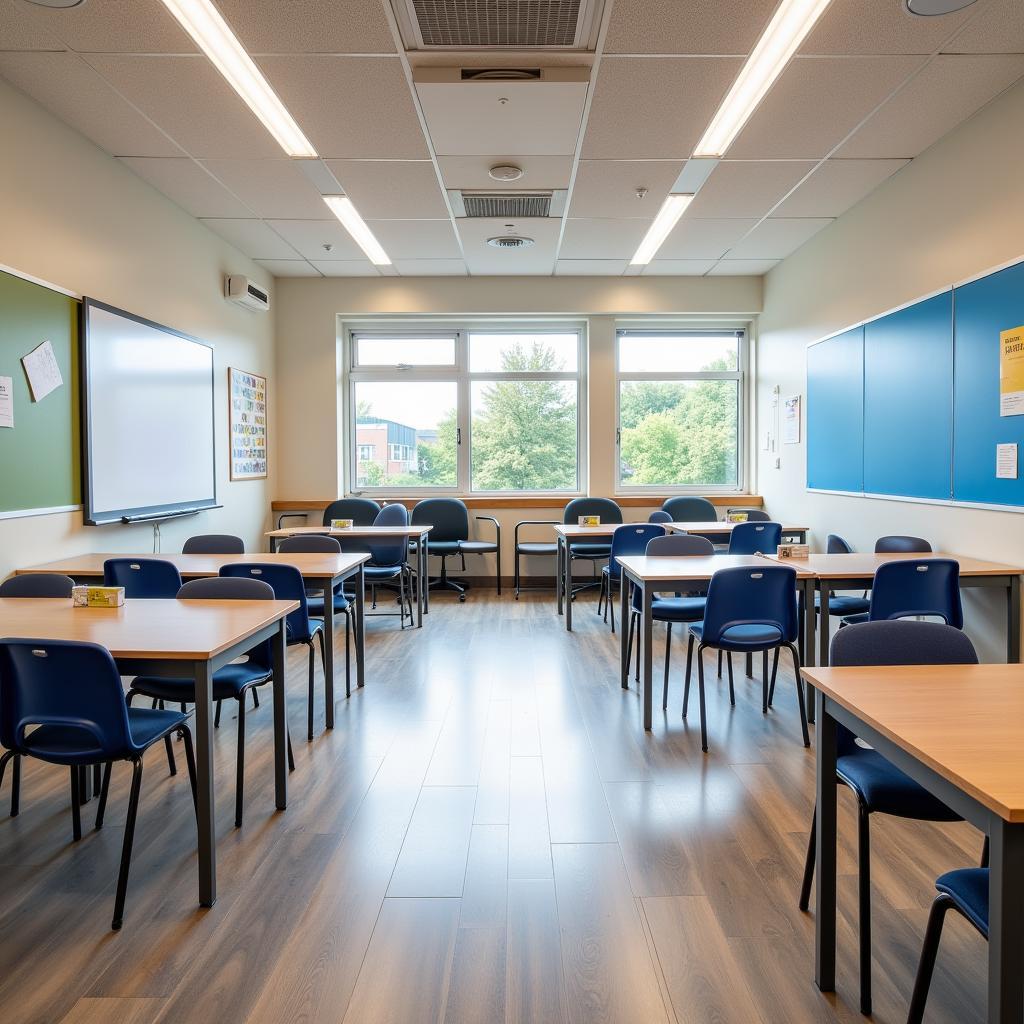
[64,684]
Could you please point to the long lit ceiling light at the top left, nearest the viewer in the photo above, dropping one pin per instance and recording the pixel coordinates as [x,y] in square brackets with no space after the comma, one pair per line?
[202,21]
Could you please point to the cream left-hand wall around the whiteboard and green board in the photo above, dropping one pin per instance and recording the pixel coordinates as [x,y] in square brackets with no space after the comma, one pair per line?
[74,217]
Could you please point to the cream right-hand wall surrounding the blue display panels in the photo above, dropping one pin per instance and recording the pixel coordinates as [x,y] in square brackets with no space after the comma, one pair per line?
[954,212]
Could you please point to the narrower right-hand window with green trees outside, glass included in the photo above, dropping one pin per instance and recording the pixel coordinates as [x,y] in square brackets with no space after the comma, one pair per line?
[680,410]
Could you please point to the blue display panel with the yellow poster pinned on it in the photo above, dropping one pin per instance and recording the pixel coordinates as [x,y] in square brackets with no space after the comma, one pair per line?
[983,310]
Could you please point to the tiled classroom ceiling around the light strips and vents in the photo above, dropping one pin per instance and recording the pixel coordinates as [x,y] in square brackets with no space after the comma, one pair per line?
[626,93]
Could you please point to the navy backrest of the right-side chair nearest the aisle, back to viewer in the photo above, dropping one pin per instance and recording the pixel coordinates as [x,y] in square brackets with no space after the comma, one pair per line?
[760,595]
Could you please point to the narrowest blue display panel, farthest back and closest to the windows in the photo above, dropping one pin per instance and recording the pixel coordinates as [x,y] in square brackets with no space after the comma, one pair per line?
[836,413]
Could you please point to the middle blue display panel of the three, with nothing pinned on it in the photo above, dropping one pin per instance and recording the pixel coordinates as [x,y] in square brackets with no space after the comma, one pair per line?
[909,368]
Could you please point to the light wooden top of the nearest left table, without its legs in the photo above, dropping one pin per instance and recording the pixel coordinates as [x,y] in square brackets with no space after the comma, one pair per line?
[144,629]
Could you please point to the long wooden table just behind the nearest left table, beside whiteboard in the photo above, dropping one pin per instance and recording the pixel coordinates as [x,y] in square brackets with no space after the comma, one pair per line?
[320,572]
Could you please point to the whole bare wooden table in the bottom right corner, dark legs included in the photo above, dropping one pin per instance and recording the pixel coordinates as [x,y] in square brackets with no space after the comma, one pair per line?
[958,731]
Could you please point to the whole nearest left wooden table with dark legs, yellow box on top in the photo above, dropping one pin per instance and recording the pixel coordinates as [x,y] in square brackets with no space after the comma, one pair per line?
[178,639]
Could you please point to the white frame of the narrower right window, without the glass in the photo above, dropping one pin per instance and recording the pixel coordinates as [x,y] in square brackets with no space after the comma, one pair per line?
[742,375]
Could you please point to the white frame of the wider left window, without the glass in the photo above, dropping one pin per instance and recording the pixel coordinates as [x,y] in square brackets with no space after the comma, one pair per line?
[459,373]
